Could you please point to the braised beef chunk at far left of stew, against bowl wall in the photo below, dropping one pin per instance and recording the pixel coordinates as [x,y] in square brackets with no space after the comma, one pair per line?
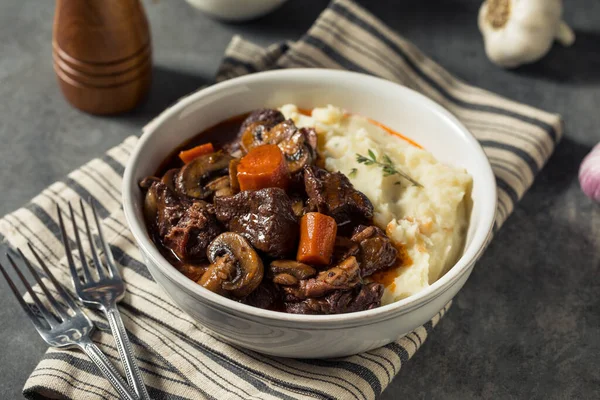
[185,226]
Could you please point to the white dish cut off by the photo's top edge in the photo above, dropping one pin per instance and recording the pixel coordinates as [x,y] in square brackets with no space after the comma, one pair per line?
[236,10]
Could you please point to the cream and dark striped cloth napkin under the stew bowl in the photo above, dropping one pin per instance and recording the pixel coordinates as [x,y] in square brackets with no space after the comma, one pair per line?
[179,358]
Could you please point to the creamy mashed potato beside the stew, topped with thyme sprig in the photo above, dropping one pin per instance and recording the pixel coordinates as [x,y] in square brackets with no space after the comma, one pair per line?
[429,222]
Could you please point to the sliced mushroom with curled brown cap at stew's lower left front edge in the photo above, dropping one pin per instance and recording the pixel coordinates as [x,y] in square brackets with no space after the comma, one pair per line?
[235,267]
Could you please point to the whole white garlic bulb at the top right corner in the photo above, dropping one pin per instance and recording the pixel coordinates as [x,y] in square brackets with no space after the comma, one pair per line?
[518,32]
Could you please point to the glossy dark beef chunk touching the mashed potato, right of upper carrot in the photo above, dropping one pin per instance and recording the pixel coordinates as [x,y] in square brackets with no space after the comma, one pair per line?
[332,193]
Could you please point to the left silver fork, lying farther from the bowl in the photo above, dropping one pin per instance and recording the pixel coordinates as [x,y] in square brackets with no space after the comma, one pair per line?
[67,325]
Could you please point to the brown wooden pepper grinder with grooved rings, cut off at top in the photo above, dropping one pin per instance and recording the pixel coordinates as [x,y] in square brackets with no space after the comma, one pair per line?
[102,54]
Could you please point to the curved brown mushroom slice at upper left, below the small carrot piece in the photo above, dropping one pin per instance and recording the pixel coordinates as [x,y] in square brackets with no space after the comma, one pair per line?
[192,177]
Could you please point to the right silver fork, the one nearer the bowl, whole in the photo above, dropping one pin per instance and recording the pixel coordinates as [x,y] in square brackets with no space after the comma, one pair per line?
[103,293]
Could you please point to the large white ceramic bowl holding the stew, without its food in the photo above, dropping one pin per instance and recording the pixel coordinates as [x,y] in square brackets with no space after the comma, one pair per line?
[310,336]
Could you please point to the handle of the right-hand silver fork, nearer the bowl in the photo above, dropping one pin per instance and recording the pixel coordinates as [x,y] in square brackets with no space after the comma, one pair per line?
[132,372]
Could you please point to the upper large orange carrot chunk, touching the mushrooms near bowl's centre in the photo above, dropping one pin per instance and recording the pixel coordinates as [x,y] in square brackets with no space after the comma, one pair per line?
[264,166]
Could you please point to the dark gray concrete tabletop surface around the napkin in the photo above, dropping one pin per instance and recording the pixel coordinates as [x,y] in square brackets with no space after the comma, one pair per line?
[527,323]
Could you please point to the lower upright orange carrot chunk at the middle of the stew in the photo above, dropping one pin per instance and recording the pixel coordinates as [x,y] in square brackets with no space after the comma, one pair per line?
[317,238]
